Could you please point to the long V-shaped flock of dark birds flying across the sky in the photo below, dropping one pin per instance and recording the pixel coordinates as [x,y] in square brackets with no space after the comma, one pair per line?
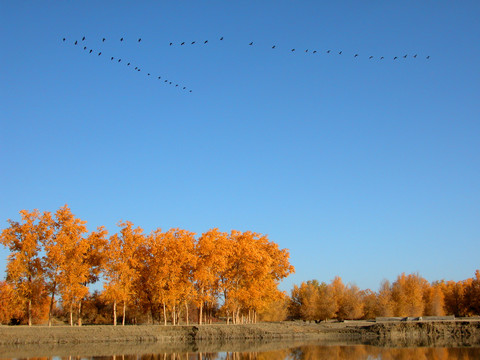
[274,47]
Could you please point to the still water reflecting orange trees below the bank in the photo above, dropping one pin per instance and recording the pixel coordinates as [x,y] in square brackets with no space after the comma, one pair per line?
[307,352]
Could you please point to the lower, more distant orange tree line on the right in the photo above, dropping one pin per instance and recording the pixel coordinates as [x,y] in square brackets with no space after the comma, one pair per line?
[408,295]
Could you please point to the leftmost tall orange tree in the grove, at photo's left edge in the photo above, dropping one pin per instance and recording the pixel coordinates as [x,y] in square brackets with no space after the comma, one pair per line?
[24,268]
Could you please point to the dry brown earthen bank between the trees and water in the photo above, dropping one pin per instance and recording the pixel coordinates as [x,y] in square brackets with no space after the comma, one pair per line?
[24,341]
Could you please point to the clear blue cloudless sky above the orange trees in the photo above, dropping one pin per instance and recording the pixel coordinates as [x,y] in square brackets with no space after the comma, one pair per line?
[362,168]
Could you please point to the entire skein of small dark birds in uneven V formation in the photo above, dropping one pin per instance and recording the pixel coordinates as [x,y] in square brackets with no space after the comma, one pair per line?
[205,42]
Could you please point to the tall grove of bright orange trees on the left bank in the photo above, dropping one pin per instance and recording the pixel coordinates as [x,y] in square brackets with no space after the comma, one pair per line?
[168,276]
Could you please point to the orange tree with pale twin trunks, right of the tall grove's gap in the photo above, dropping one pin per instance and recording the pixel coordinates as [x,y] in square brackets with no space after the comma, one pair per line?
[121,266]
